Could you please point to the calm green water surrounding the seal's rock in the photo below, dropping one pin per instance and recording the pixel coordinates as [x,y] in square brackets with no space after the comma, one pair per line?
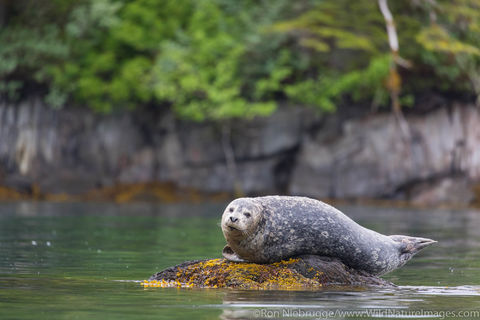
[85,261]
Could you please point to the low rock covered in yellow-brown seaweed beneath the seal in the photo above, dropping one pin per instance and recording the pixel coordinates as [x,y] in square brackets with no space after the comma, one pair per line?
[307,272]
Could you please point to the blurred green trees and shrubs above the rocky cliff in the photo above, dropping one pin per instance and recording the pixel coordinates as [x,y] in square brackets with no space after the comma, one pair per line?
[216,59]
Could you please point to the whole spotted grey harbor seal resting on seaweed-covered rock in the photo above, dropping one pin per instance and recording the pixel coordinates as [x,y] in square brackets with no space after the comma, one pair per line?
[273,228]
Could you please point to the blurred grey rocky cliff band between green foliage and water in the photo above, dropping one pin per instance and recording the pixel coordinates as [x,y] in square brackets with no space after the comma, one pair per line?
[294,151]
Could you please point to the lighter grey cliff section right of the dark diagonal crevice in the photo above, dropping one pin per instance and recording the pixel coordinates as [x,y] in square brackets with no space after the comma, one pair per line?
[371,157]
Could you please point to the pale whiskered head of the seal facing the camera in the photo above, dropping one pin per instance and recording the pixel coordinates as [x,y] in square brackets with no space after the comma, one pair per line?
[241,218]
